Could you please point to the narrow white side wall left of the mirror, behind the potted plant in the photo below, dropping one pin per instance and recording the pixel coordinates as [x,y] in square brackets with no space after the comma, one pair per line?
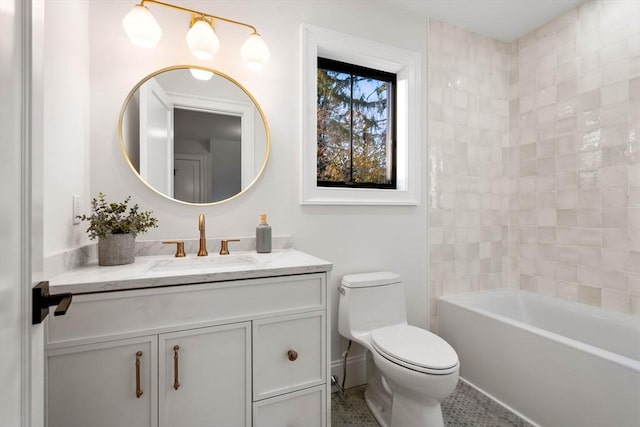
[66,122]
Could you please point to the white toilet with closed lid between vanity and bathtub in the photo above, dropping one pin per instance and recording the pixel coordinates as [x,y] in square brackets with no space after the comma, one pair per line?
[409,370]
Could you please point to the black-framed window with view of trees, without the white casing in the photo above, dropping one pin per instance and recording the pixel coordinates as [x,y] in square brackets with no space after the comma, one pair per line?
[356,126]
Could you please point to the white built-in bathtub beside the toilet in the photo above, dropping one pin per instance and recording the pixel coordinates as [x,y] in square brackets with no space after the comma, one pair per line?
[555,363]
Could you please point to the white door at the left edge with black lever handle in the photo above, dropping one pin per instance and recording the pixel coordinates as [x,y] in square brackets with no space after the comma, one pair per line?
[21,357]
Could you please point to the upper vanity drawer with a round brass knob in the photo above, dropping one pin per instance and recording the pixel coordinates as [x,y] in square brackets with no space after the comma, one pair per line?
[288,353]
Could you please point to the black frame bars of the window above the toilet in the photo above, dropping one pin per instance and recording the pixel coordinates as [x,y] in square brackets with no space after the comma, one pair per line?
[391,78]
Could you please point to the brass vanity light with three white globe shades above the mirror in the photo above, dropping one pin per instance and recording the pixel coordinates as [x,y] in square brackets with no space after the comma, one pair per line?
[144,31]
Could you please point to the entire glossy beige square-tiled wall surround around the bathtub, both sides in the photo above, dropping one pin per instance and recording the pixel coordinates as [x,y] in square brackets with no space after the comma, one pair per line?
[534,159]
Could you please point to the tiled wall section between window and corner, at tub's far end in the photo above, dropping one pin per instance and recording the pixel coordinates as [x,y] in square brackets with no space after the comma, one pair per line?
[468,133]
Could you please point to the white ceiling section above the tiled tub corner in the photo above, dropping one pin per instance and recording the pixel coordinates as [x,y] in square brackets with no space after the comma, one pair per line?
[504,20]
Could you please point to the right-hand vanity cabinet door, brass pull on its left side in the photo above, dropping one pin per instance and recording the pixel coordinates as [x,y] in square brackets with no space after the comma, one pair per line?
[205,377]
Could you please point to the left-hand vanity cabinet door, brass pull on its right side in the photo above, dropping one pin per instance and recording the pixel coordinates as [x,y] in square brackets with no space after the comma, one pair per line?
[111,384]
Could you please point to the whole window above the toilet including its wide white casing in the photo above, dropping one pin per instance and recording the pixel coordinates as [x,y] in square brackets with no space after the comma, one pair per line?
[404,146]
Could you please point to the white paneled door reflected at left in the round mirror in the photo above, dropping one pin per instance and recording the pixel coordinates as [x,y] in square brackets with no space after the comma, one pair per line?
[156,137]
